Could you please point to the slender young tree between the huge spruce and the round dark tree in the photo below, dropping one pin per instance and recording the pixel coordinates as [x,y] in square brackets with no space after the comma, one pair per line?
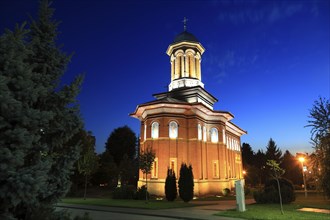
[88,161]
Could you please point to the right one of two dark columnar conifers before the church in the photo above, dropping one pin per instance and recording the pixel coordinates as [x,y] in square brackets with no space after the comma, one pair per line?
[186,183]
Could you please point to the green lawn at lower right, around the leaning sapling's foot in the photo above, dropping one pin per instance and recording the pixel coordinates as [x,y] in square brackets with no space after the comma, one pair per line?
[272,211]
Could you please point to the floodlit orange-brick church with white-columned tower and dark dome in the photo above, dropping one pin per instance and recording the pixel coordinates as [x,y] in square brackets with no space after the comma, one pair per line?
[181,126]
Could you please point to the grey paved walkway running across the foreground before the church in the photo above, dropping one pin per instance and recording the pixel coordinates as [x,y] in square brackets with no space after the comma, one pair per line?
[205,210]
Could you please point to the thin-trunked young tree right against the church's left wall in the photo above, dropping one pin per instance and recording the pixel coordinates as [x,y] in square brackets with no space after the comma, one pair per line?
[146,159]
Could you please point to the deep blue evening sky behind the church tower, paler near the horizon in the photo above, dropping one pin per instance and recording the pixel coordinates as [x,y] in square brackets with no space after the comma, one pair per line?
[266,61]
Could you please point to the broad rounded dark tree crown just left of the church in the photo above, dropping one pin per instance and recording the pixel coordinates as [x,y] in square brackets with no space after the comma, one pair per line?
[122,141]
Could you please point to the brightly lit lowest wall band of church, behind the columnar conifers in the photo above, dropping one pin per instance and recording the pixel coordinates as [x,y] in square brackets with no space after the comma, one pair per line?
[201,187]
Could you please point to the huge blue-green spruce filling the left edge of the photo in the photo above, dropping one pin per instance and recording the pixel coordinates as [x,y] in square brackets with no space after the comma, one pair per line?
[37,119]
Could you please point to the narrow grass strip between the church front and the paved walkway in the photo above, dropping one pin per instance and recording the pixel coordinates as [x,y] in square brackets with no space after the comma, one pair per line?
[141,204]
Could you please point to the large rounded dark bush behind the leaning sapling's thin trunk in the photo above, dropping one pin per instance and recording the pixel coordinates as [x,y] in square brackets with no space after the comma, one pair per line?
[270,192]
